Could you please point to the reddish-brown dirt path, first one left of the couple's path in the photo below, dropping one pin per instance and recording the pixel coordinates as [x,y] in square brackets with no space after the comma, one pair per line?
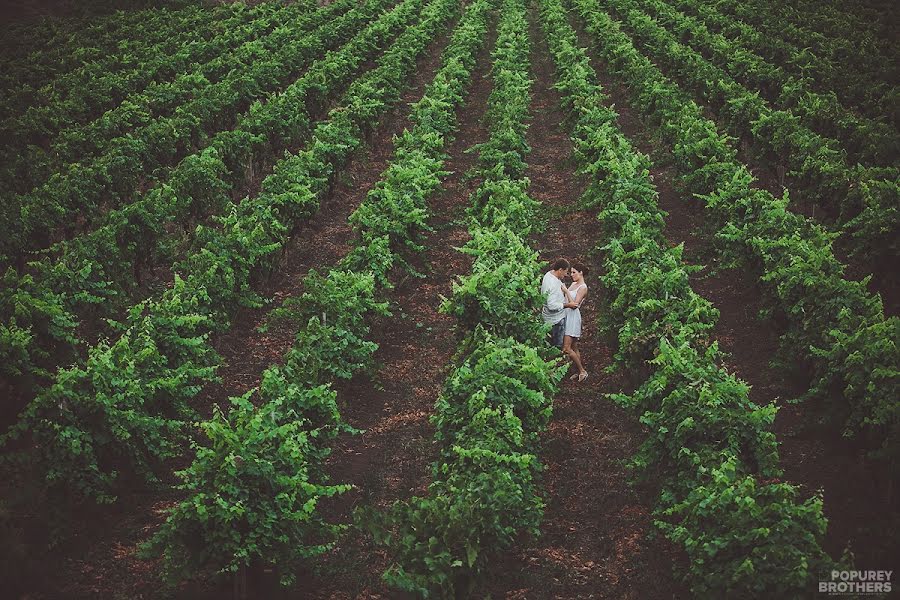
[392,459]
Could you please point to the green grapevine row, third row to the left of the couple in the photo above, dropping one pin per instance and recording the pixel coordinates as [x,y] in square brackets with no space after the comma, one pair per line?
[125,405]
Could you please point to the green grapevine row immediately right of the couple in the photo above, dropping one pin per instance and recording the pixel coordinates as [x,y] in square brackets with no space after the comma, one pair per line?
[746,534]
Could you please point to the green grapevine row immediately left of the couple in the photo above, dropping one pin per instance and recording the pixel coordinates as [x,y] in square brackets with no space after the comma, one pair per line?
[497,398]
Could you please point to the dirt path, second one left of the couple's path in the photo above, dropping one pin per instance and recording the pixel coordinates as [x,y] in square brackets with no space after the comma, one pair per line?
[101,559]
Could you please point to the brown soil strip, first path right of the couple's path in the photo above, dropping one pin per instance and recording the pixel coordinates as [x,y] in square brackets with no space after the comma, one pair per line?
[856,501]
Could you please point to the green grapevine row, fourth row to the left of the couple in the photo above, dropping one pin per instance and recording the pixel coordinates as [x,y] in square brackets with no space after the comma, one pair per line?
[103,267]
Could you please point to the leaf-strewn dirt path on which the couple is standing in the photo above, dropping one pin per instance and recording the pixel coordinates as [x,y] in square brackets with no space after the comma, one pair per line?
[597,532]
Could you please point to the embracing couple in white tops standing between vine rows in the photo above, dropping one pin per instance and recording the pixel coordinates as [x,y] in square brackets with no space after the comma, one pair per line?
[562,309]
